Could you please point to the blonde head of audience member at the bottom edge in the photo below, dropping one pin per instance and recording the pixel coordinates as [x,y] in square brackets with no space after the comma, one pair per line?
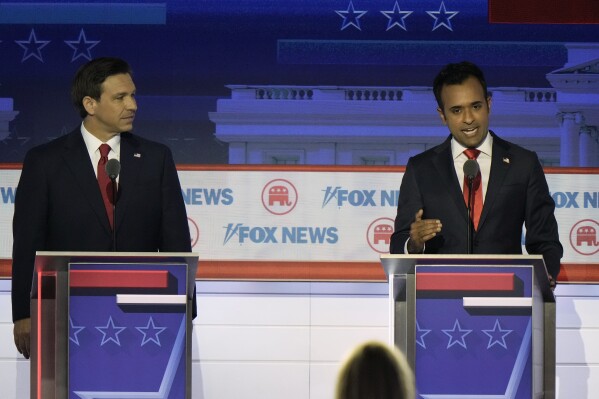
[374,370]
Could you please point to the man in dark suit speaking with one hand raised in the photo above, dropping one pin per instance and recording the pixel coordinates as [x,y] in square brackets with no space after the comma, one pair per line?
[432,214]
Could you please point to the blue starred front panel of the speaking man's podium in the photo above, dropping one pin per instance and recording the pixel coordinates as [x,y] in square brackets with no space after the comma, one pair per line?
[474,332]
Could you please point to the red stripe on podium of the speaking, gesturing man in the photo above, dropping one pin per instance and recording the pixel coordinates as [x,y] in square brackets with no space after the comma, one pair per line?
[465,281]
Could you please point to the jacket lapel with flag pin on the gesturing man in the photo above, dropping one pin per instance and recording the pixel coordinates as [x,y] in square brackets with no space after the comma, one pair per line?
[500,165]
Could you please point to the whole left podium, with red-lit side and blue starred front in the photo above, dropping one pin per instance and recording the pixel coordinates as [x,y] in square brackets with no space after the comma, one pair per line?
[112,325]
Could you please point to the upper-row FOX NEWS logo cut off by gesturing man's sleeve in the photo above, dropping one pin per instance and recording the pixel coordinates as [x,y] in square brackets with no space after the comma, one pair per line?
[340,196]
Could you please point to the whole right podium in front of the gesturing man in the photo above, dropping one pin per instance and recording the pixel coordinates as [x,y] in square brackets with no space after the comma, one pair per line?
[474,326]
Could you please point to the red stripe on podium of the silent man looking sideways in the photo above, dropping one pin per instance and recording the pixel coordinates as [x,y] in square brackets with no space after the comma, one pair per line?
[118,279]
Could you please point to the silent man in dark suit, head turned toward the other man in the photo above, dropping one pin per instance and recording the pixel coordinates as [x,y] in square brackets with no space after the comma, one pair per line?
[59,205]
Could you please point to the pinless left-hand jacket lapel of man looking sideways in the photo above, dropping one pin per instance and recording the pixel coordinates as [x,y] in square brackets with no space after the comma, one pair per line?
[77,159]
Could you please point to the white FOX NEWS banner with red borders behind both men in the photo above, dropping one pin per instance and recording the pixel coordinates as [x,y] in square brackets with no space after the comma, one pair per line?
[323,223]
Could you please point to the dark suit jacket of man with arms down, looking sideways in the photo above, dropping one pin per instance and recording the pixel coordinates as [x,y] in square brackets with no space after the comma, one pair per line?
[58,206]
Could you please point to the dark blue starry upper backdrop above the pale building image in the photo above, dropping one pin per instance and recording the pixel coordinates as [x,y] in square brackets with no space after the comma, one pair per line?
[184,53]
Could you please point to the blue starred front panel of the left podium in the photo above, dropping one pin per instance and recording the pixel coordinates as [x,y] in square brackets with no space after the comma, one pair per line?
[127,331]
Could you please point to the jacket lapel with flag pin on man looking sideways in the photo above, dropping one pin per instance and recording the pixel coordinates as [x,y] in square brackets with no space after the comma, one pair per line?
[131,162]
